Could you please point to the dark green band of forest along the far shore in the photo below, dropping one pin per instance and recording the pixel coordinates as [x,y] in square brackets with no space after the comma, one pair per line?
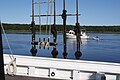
[26,28]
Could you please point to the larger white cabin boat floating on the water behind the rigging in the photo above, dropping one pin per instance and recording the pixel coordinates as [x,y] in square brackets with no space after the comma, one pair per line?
[71,34]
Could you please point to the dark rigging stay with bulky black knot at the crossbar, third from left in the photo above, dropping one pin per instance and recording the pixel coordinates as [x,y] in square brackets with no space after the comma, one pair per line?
[64,16]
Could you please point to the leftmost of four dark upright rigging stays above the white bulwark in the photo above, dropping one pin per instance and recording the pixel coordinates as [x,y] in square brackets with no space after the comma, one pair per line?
[33,49]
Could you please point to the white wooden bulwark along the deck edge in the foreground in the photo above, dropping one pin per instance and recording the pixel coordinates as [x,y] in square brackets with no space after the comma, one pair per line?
[64,68]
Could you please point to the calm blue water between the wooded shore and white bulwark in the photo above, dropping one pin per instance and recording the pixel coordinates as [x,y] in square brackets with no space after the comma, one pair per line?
[107,49]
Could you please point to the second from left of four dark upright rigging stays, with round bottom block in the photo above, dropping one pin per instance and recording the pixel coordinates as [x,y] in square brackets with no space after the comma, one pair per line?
[54,32]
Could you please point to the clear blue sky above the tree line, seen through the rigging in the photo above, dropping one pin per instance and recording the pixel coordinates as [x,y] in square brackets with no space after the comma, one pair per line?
[93,12]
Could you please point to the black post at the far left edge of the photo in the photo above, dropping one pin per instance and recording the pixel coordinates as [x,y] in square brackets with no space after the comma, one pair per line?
[2,75]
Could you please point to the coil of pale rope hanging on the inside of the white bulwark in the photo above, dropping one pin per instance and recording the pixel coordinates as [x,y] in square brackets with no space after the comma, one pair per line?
[11,70]
